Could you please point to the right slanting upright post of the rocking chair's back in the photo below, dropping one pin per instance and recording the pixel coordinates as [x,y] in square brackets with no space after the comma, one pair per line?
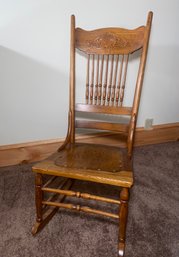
[139,83]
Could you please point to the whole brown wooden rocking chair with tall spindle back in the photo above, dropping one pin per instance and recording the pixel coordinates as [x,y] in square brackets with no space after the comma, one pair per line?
[108,53]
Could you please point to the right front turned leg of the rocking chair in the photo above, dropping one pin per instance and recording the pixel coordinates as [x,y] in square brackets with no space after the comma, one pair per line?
[124,197]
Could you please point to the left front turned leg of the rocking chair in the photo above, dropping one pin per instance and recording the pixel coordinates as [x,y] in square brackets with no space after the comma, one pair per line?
[38,196]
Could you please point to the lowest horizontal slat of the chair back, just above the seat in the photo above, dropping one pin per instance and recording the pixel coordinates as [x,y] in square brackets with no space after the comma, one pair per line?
[102,125]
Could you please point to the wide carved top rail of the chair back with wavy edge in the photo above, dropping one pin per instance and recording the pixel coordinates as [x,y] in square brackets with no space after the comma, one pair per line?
[109,40]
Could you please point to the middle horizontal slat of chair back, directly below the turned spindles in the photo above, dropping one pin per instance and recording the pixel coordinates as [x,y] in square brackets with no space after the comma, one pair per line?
[103,109]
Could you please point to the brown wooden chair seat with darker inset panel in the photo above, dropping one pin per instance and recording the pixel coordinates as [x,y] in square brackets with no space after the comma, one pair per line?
[97,163]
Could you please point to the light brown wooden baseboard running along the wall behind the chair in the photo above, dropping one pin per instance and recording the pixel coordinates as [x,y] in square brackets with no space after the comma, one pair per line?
[36,151]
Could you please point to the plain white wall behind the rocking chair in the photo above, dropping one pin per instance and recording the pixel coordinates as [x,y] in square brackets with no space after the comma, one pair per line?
[34,61]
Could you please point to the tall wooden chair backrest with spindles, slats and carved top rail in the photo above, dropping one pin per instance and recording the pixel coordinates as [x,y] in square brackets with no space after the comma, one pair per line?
[107,51]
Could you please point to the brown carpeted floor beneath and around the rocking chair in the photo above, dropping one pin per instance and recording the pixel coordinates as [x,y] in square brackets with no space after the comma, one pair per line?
[153,227]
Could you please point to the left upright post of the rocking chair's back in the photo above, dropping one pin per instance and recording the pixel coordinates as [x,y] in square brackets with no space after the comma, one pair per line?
[71,122]
